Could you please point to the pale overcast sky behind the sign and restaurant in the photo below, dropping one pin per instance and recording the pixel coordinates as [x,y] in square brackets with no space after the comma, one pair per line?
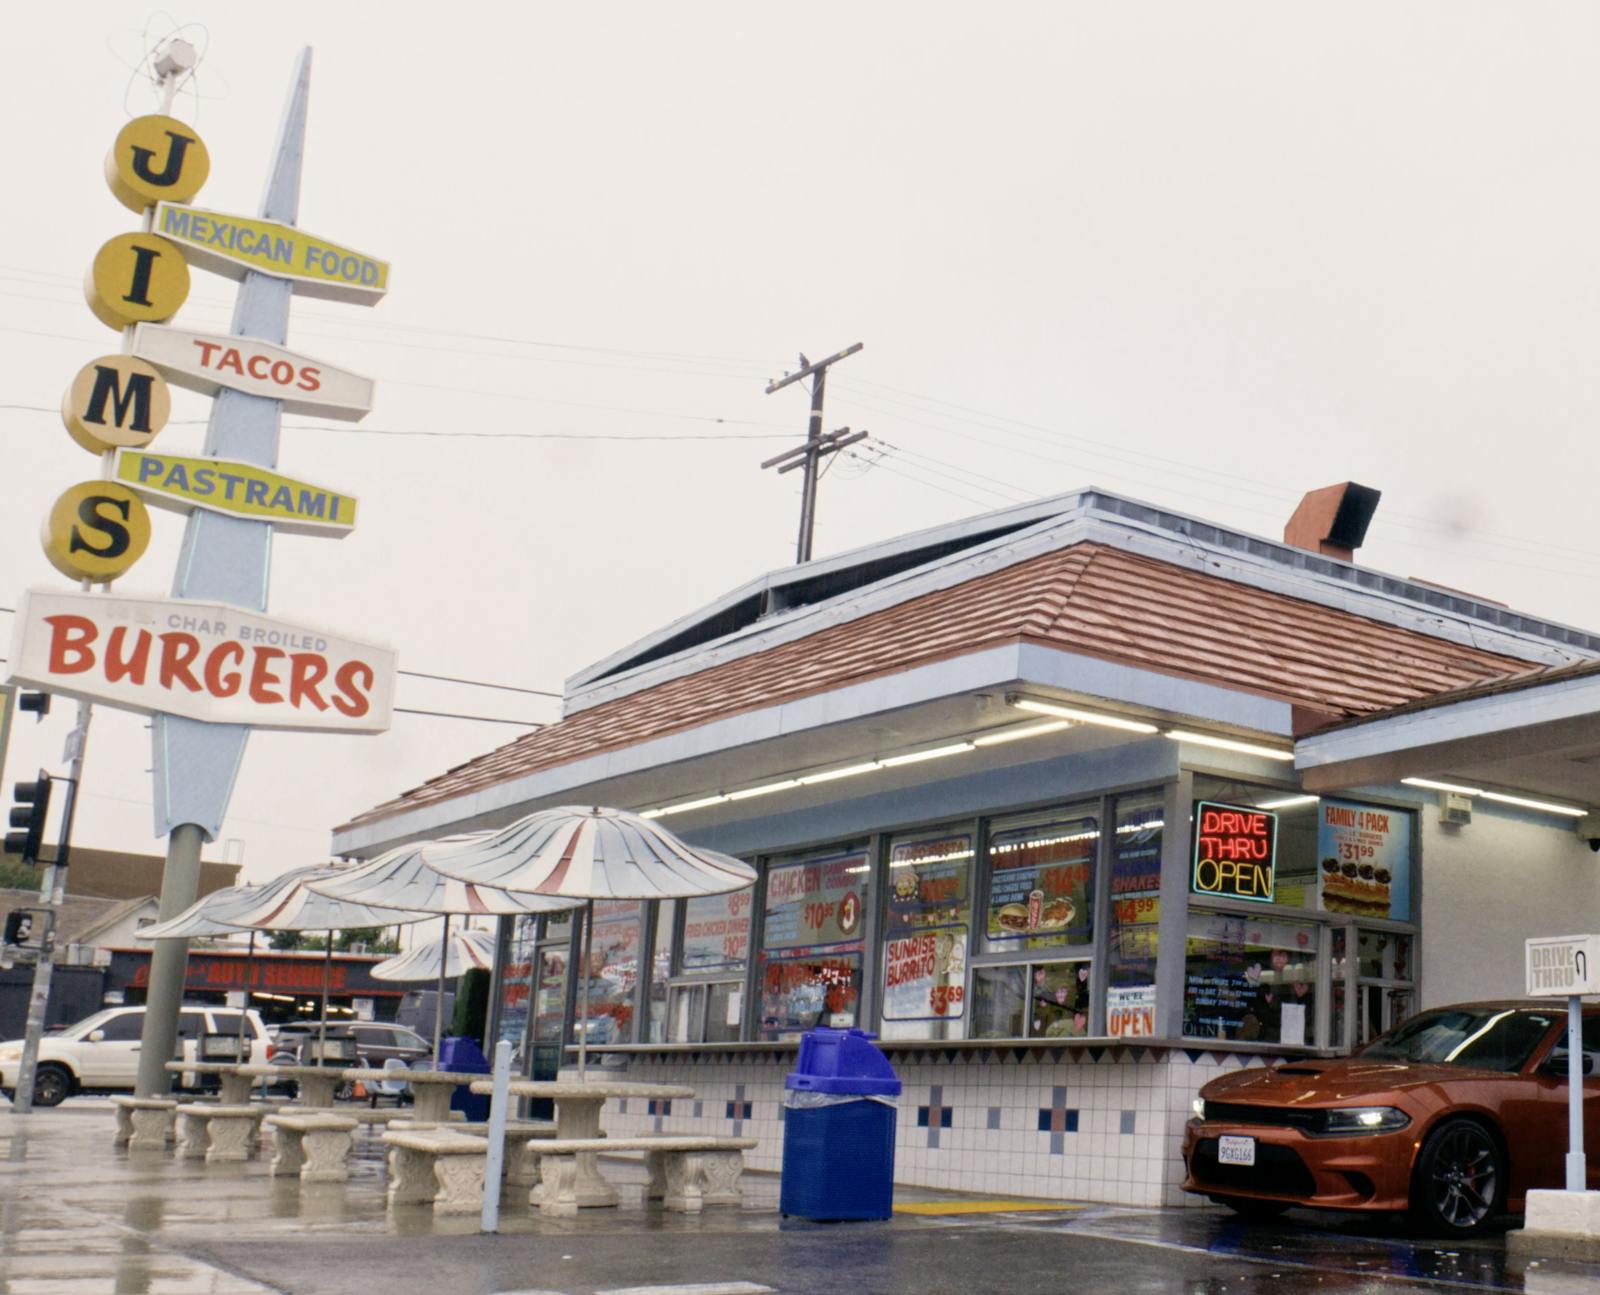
[1204,255]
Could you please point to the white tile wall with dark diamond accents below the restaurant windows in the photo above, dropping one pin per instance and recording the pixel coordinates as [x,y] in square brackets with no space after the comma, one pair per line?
[1095,1161]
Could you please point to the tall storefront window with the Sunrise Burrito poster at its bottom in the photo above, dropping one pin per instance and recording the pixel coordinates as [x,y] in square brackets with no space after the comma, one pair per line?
[927,936]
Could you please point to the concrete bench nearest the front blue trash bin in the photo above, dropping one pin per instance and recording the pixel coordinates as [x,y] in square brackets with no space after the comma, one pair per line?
[686,1174]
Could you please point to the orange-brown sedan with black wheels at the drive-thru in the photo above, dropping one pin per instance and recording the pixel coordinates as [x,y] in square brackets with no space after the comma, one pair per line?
[1449,1118]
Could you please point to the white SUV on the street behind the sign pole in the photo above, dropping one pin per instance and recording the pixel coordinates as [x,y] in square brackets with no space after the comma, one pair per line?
[102,1052]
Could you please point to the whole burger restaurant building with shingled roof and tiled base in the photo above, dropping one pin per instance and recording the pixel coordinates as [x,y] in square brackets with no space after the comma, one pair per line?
[1076,804]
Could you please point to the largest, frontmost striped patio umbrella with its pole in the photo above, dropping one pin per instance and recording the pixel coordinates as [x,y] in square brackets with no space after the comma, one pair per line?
[590,854]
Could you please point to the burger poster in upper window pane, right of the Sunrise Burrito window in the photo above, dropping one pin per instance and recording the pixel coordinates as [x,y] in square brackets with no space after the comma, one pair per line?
[1041,883]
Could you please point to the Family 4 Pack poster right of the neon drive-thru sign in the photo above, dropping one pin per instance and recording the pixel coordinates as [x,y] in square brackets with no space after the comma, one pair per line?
[1364,856]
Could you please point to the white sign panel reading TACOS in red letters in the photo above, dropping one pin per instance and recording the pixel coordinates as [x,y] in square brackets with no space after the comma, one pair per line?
[207,363]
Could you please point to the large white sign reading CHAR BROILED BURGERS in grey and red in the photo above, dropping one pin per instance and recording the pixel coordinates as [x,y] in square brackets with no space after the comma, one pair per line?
[201,660]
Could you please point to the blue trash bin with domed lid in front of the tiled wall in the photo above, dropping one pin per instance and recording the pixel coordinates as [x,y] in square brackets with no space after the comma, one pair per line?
[839,1129]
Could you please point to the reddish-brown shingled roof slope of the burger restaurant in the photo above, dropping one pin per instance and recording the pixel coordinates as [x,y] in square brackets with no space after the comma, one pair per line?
[1089,599]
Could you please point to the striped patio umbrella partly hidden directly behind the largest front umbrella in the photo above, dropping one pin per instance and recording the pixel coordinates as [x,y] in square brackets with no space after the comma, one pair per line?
[401,880]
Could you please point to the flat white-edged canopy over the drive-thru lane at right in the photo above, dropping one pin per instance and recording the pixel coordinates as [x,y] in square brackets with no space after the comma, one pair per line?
[1543,740]
